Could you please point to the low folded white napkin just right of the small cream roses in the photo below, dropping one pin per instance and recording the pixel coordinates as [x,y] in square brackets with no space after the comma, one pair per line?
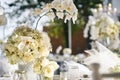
[76,70]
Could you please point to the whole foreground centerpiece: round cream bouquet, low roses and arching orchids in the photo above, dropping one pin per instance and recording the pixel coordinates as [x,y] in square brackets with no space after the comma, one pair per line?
[27,45]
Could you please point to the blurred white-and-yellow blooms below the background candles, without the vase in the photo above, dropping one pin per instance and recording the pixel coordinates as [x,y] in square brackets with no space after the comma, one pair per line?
[101,26]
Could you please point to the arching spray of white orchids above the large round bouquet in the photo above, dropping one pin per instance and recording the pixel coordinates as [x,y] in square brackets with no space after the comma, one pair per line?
[62,9]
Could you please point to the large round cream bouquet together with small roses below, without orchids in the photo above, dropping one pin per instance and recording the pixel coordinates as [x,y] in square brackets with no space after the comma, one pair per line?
[26,46]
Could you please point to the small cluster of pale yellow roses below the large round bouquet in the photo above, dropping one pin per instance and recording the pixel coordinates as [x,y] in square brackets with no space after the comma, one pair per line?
[45,67]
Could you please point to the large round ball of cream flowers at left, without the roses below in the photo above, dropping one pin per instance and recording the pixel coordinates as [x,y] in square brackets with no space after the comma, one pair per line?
[26,44]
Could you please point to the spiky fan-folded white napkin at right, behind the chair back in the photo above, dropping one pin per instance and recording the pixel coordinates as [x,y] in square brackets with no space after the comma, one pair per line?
[104,57]
